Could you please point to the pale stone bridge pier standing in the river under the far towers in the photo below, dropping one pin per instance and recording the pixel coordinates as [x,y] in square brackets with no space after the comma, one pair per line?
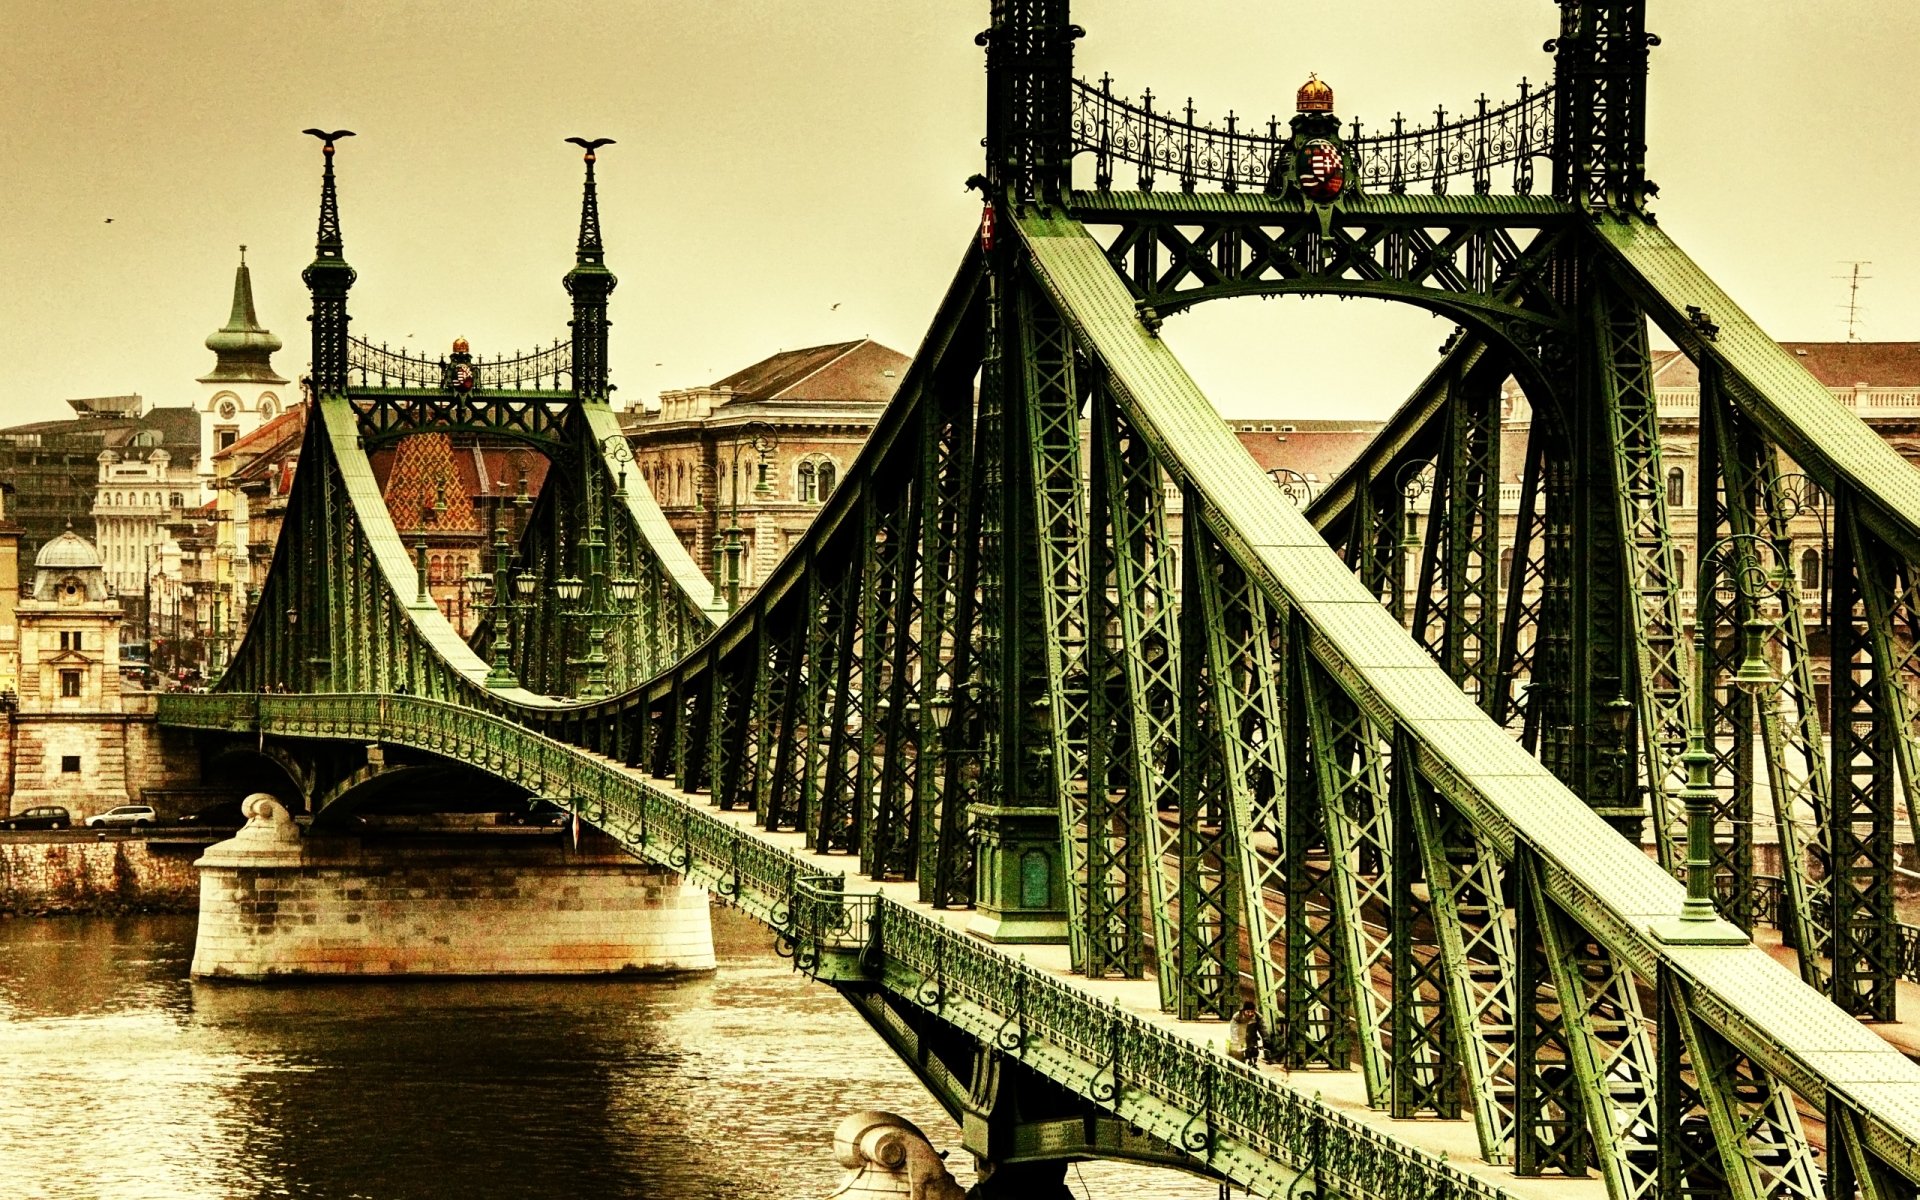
[279,901]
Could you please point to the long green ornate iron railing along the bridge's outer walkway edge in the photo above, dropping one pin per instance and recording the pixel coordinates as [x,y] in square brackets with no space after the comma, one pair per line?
[1218,1111]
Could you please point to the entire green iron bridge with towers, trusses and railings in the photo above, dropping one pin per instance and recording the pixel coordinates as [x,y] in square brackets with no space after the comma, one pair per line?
[1045,773]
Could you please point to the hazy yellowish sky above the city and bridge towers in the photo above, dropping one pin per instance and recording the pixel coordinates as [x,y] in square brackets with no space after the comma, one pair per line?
[792,174]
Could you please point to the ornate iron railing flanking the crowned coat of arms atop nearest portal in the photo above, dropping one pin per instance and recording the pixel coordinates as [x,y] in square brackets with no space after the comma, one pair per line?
[1116,130]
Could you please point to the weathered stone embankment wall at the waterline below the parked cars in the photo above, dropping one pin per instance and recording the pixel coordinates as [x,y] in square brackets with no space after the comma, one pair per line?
[99,876]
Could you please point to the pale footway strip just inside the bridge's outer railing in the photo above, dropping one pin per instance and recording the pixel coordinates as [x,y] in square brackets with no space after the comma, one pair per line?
[1343,1092]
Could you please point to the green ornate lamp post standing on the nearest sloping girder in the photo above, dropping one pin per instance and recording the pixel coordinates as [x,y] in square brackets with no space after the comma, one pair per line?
[1698,921]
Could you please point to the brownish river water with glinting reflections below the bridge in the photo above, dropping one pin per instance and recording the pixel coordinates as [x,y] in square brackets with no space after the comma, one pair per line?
[122,1080]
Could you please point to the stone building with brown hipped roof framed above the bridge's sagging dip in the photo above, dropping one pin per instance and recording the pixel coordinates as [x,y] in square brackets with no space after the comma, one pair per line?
[759,450]
